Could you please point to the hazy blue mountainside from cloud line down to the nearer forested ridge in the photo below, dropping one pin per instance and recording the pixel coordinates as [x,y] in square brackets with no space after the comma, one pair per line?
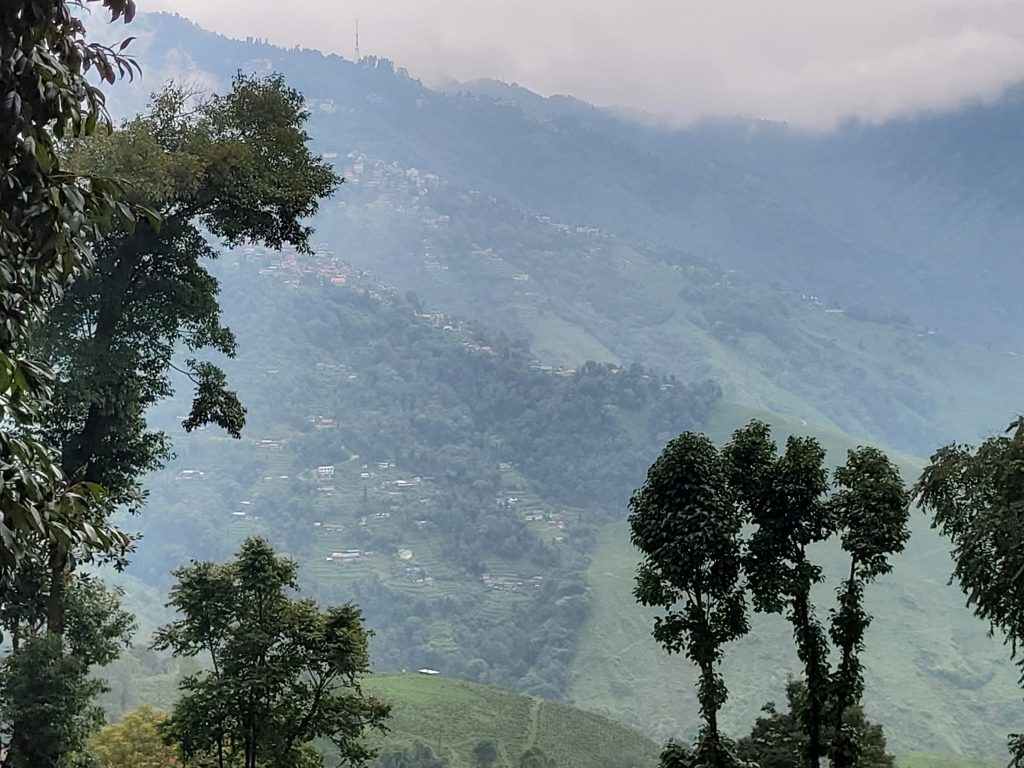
[775,263]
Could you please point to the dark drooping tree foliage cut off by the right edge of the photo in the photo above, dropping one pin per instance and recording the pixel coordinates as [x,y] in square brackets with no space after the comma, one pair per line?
[977,500]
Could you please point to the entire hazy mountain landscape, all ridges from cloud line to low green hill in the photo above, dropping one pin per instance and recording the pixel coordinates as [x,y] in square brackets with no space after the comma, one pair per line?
[516,304]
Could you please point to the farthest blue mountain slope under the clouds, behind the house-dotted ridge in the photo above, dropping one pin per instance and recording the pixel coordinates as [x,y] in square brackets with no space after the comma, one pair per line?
[918,218]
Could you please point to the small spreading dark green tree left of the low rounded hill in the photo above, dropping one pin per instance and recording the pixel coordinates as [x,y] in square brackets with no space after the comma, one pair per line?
[284,672]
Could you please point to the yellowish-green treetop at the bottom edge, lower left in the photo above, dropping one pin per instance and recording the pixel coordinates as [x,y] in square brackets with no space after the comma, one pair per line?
[135,742]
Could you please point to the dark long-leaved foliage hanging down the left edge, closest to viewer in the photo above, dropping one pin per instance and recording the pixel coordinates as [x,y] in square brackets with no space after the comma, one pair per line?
[48,215]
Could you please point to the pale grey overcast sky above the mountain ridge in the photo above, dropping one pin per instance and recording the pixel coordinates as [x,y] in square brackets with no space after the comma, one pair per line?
[808,62]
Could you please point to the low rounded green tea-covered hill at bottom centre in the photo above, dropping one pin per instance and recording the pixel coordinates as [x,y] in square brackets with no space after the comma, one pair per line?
[453,716]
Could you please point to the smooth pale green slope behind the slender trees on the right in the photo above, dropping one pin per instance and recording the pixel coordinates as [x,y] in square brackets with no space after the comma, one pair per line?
[935,681]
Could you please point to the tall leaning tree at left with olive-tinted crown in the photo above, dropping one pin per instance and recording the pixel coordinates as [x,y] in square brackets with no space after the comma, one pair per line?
[237,167]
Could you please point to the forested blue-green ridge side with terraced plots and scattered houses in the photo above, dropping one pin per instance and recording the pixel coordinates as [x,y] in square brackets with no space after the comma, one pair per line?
[448,482]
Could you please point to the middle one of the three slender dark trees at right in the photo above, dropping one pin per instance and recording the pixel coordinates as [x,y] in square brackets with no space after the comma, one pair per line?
[785,499]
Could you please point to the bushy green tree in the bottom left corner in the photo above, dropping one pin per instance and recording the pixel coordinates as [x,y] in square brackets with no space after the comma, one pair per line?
[48,692]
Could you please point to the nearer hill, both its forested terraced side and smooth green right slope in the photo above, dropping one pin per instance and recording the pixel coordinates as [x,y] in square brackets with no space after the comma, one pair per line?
[471,498]
